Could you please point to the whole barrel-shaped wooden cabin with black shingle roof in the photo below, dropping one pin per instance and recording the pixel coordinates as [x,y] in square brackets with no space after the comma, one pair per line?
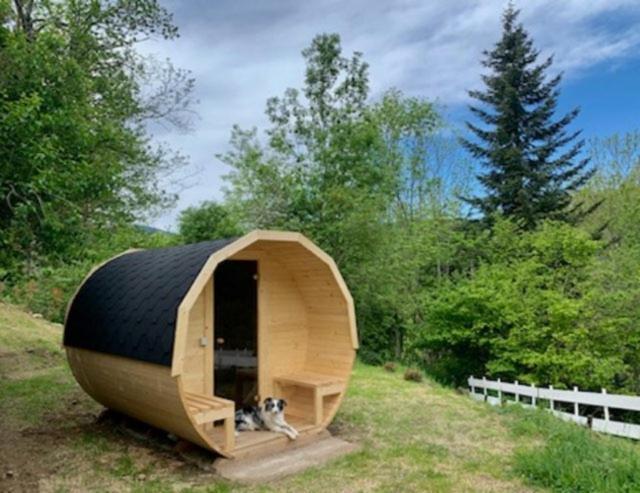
[181,337]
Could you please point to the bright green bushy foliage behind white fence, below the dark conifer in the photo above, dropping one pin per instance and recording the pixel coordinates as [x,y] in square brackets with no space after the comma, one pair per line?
[526,313]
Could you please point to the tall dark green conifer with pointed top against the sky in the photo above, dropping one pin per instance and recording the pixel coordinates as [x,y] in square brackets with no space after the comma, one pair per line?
[533,162]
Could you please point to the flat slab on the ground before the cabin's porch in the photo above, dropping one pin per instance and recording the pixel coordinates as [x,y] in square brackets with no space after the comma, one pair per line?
[283,463]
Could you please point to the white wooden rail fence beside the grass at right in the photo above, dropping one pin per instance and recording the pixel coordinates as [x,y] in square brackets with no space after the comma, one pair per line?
[575,397]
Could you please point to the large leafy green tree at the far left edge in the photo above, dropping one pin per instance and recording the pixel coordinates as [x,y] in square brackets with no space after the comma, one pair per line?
[74,153]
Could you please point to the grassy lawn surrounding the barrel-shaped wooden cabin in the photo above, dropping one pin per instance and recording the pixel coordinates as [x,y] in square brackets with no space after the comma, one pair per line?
[413,436]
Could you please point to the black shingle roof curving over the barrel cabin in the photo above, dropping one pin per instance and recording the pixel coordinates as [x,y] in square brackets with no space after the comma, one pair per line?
[128,307]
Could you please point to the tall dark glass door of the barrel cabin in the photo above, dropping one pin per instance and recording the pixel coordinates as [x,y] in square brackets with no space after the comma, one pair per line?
[236,331]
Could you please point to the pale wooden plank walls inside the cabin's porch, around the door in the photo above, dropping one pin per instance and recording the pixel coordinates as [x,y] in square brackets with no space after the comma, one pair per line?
[303,324]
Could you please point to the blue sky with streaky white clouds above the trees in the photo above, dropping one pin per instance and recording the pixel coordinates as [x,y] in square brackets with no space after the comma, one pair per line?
[241,52]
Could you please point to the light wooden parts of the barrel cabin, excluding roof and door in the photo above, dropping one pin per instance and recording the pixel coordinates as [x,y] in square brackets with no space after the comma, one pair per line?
[306,333]
